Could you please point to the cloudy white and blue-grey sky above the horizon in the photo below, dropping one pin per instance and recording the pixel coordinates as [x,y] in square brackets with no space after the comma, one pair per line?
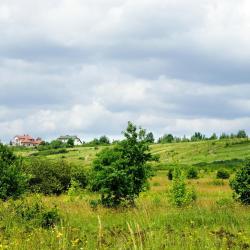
[86,67]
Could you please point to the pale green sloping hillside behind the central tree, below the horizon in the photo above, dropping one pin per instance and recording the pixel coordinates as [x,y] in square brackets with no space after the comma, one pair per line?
[204,153]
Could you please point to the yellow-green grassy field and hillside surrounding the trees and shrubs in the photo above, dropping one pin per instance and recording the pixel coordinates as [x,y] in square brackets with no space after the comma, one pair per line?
[214,221]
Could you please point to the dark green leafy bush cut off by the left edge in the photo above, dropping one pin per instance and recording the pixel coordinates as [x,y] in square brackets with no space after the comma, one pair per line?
[12,180]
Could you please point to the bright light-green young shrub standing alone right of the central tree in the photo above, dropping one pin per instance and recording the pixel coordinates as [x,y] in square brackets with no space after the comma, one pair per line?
[179,194]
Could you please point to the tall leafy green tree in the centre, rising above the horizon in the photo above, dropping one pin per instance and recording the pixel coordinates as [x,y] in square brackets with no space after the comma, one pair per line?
[121,173]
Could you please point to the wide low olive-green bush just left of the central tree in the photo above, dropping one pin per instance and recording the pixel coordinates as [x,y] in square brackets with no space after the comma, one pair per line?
[53,177]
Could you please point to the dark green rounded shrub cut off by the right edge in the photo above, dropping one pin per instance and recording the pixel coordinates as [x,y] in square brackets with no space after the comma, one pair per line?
[241,184]
